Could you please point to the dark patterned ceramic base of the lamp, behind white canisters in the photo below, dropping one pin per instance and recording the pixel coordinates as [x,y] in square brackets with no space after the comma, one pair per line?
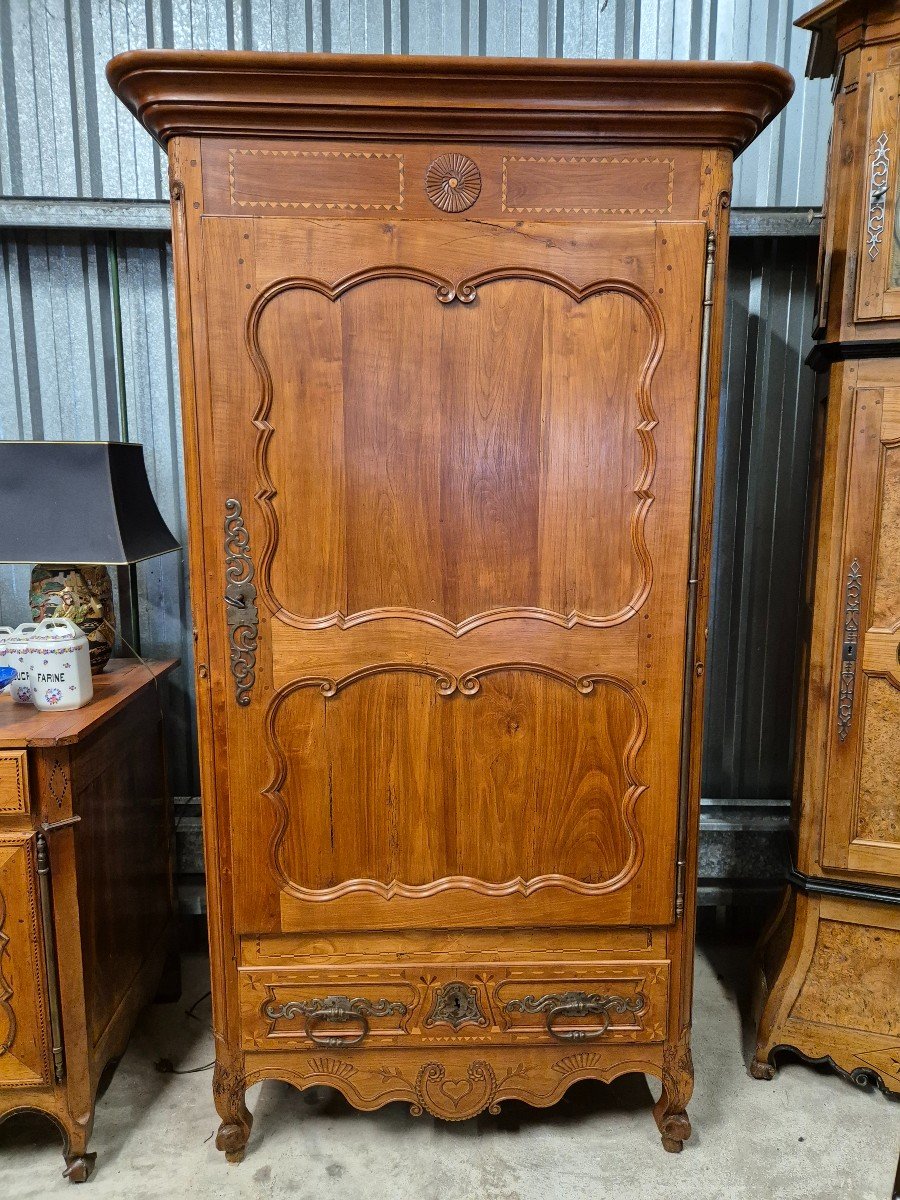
[85,595]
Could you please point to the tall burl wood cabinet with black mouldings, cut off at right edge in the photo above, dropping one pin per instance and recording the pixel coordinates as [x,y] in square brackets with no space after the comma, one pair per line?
[831,959]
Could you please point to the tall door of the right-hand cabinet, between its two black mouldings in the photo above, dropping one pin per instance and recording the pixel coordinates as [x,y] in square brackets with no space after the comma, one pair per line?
[862,827]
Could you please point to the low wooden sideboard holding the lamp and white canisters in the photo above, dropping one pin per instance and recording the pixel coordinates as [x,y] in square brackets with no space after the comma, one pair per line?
[87,917]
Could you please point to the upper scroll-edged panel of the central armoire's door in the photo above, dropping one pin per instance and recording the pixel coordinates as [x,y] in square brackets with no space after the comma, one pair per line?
[473,458]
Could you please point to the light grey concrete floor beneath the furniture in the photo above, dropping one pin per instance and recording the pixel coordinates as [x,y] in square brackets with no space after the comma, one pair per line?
[807,1136]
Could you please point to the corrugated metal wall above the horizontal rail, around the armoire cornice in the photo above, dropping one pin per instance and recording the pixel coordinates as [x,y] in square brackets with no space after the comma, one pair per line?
[64,134]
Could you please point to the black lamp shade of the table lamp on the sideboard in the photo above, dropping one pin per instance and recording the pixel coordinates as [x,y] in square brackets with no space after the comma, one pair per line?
[79,503]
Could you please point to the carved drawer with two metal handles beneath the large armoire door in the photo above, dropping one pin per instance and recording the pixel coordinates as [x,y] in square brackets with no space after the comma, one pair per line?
[404,1004]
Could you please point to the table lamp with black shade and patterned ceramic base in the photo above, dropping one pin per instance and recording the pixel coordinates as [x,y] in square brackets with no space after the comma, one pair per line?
[75,508]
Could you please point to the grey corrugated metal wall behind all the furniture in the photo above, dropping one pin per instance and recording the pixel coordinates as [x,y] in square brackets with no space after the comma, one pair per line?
[65,373]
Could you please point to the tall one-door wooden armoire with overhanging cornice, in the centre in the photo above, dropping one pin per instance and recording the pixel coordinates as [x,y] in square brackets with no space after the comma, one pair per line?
[451,340]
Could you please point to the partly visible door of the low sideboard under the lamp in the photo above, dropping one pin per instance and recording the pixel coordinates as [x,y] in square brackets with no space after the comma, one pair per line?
[25,1037]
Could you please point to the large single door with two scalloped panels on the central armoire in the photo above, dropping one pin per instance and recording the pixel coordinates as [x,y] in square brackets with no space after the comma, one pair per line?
[457,460]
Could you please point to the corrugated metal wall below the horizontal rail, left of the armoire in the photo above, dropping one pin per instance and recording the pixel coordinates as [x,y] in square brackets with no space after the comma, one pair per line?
[65,375]
